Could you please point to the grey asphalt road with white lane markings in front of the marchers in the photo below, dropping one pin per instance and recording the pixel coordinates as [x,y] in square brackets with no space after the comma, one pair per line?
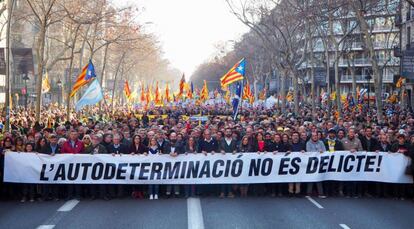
[254,212]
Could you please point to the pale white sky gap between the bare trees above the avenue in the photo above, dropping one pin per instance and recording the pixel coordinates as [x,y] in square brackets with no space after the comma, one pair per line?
[189,29]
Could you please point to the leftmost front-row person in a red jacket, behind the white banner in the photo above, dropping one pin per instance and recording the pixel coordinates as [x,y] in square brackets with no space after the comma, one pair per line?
[73,146]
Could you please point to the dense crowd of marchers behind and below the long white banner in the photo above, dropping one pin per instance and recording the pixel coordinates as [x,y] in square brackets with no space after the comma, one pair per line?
[171,131]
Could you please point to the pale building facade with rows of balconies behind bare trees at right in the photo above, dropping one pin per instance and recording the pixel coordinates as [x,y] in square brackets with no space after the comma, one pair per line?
[354,60]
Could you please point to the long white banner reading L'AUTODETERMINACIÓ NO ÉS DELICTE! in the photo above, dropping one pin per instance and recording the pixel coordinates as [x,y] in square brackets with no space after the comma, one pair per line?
[201,169]
